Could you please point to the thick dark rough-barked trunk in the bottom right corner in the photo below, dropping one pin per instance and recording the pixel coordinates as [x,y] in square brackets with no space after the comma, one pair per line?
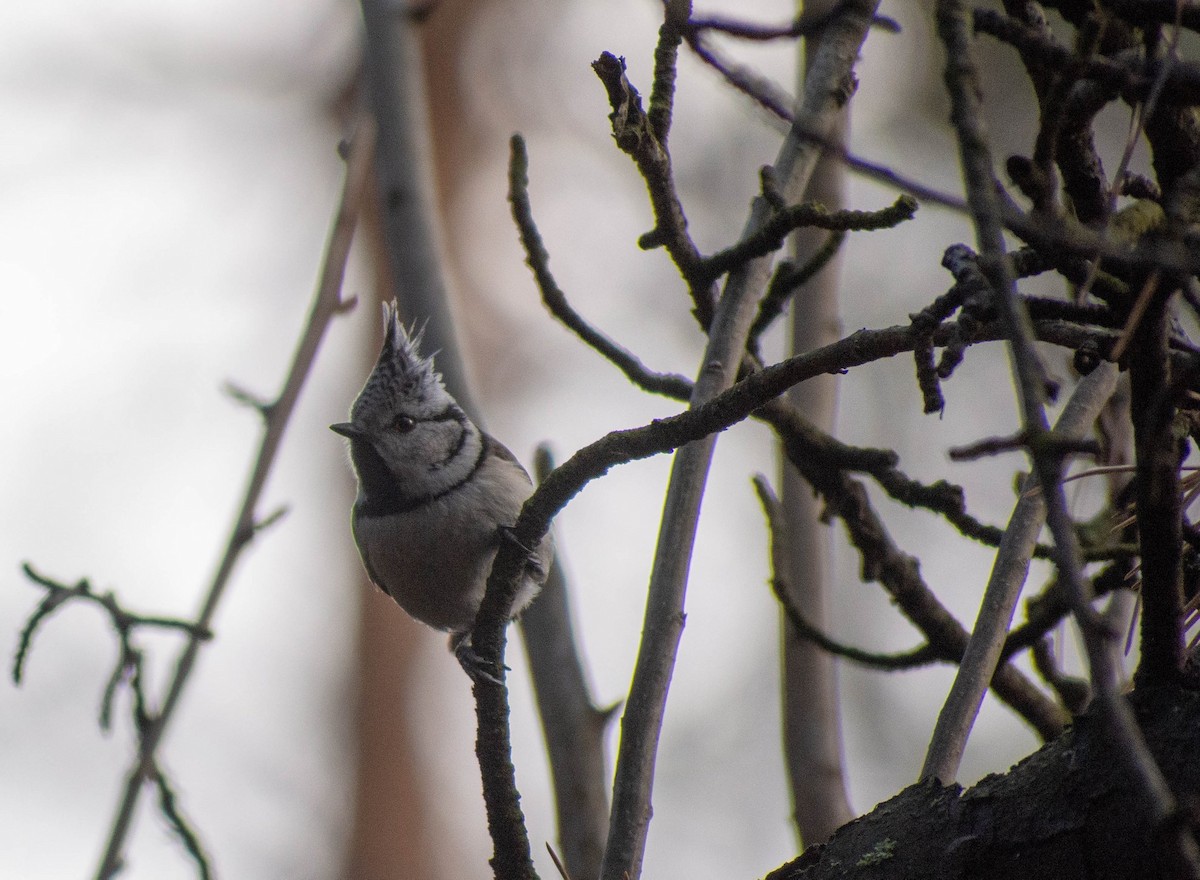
[1065,812]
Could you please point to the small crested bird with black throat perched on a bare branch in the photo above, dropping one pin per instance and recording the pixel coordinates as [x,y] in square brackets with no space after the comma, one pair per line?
[436,495]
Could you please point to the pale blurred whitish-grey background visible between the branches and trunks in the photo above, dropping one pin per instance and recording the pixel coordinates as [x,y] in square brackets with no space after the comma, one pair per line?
[167,173]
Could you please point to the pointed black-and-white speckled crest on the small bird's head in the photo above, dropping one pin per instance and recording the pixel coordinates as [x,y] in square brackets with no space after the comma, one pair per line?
[403,380]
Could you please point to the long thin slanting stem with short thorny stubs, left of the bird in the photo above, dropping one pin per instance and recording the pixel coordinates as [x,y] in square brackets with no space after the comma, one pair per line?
[328,303]
